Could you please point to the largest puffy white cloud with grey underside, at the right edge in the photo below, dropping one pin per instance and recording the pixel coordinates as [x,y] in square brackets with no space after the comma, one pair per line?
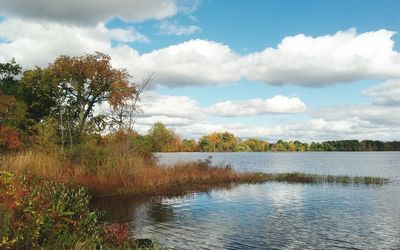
[343,57]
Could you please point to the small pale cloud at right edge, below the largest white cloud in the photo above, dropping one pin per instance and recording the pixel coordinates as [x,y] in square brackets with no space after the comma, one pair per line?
[386,94]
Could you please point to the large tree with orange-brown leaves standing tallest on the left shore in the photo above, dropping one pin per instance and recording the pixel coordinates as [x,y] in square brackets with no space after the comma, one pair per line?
[86,81]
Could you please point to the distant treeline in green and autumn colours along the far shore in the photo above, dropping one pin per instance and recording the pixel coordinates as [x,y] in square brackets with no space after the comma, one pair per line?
[162,139]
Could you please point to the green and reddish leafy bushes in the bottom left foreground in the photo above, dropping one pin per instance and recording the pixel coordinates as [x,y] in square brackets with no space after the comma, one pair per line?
[39,214]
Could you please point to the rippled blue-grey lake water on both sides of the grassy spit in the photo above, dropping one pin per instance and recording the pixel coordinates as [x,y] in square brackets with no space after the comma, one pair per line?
[275,215]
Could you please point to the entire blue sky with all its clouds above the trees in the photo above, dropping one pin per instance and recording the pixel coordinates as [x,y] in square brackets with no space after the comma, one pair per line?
[306,70]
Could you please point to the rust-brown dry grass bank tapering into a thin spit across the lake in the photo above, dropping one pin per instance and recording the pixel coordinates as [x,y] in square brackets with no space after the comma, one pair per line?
[136,175]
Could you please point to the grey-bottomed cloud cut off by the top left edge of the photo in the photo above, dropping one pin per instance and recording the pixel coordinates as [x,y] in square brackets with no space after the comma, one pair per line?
[90,11]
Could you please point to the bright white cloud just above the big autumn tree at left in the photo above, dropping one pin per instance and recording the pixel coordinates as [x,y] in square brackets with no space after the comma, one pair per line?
[39,43]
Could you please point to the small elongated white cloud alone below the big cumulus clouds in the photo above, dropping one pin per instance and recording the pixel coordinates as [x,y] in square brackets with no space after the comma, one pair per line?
[275,105]
